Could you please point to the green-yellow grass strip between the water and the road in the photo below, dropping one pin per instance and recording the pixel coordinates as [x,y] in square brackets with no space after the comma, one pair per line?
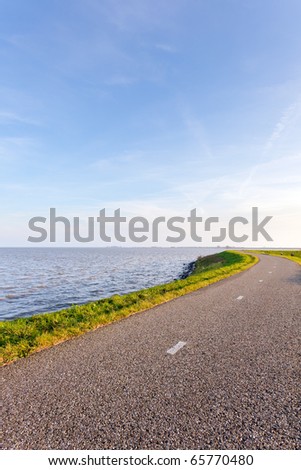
[23,336]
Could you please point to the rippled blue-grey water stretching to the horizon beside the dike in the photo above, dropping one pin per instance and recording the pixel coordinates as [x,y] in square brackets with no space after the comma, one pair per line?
[36,280]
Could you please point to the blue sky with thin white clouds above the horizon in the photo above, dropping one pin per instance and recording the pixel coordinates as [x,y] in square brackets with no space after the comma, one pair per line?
[153,107]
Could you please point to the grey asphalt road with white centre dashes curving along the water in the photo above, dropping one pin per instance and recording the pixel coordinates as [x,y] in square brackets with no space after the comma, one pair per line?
[234,385]
